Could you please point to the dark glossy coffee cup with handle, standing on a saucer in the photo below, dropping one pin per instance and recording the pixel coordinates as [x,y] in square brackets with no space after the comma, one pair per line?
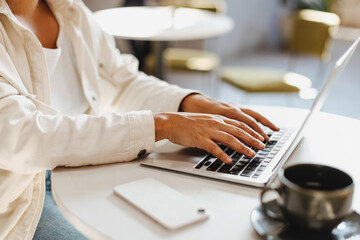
[311,196]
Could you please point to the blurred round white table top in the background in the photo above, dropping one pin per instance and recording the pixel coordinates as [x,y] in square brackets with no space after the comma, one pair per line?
[163,23]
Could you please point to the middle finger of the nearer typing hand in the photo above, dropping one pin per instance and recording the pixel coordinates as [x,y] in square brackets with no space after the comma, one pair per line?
[242,136]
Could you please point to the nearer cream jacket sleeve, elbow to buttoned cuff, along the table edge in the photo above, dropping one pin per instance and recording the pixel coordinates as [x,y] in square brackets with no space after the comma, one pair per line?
[32,141]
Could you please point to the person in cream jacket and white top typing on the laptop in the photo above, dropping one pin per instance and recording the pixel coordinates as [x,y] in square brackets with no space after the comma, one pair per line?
[68,98]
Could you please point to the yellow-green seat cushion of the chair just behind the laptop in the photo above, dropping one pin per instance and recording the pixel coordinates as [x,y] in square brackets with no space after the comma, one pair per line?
[265,79]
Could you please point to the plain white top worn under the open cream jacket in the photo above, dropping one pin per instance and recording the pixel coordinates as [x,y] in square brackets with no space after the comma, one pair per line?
[66,92]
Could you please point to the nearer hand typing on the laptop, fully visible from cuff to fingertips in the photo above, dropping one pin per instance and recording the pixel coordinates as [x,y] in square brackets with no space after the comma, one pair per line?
[205,131]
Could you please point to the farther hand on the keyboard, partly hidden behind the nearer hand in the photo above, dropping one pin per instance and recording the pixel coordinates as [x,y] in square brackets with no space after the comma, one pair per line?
[202,104]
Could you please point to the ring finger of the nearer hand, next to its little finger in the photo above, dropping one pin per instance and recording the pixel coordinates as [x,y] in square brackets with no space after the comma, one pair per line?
[233,143]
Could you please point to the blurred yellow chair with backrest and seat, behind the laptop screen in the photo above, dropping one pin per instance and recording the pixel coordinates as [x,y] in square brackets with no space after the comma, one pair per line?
[312,34]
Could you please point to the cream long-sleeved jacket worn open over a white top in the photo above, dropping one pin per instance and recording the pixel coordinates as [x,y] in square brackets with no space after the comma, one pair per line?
[35,137]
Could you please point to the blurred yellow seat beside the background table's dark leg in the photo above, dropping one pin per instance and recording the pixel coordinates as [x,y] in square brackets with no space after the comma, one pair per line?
[190,59]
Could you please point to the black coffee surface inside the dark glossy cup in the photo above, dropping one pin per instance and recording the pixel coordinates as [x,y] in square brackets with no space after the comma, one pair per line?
[317,177]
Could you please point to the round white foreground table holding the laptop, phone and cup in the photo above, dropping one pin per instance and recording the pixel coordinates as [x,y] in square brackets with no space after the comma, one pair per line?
[85,195]
